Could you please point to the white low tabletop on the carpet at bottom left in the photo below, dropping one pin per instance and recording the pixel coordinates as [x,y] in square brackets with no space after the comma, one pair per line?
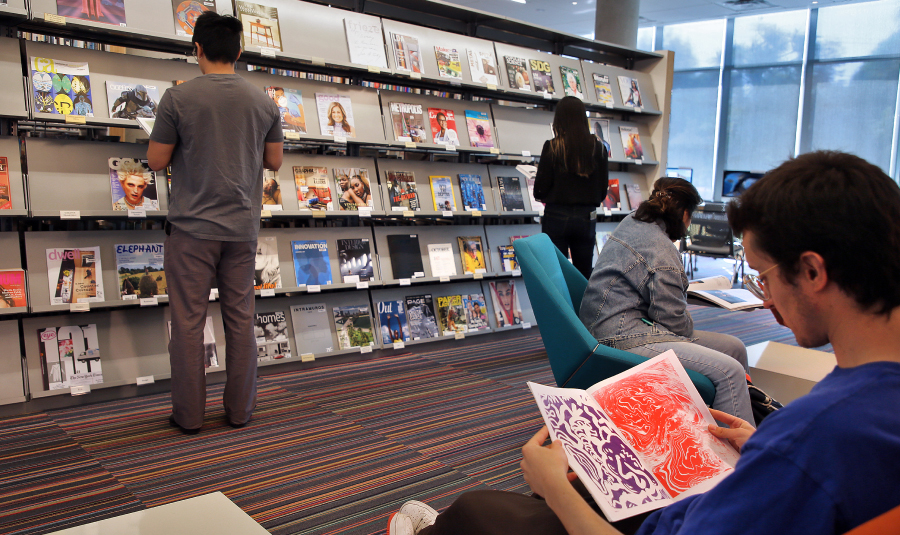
[210,514]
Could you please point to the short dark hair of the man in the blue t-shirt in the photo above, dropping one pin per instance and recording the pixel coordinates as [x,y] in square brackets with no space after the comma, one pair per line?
[834,204]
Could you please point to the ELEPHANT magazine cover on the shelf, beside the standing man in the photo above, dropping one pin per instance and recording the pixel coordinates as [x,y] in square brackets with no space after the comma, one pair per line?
[140,268]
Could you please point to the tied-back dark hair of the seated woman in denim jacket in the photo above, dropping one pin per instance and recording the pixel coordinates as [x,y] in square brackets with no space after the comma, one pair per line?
[668,201]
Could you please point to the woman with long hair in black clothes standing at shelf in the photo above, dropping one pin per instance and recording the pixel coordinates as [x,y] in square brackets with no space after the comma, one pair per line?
[572,180]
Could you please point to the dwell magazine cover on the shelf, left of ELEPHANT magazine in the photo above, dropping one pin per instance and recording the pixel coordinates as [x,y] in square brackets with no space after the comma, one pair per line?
[75,275]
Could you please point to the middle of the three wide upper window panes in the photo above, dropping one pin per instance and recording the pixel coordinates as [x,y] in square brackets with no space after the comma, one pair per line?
[773,38]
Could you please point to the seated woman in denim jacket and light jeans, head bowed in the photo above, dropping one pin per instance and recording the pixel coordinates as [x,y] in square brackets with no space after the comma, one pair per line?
[636,299]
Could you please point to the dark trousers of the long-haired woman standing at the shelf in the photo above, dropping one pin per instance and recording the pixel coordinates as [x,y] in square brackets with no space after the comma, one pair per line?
[571,229]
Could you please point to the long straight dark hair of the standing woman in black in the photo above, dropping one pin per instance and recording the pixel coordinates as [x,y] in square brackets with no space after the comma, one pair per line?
[573,144]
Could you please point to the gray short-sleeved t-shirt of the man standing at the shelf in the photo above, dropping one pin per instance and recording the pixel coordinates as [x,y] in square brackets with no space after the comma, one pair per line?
[219,124]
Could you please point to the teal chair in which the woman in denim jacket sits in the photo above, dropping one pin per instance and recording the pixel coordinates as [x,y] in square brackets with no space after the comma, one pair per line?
[555,289]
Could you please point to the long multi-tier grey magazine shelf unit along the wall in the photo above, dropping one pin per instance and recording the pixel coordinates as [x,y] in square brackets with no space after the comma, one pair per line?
[59,173]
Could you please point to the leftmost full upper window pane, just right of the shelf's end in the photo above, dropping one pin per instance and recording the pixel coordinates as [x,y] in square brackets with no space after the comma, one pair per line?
[696,44]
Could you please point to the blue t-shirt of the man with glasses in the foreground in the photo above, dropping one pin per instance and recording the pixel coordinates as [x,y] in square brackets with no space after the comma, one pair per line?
[826,463]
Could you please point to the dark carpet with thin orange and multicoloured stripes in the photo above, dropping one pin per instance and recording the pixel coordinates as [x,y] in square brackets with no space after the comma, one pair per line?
[331,450]
